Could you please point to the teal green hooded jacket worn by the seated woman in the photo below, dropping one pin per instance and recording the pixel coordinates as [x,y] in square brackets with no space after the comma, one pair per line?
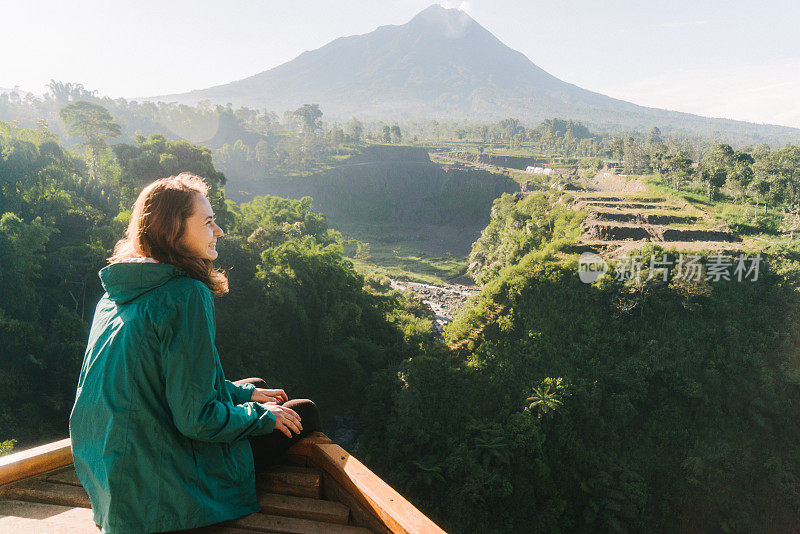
[158,434]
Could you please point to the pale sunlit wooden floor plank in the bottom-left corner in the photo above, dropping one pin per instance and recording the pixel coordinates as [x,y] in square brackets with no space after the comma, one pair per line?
[37,518]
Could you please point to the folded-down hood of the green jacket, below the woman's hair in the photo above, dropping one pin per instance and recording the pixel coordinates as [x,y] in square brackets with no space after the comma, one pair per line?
[125,281]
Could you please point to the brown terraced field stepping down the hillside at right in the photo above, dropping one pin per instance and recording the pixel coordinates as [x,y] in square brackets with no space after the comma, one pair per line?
[620,223]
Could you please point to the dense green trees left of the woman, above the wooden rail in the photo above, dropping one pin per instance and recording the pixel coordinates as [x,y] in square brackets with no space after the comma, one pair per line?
[53,235]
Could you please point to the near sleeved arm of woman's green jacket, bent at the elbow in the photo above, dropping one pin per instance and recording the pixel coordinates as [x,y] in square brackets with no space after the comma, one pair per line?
[193,376]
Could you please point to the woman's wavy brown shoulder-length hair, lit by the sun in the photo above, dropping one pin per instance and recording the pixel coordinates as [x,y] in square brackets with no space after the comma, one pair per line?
[158,221]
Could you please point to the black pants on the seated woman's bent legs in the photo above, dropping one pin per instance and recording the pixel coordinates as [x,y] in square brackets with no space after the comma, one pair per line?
[267,447]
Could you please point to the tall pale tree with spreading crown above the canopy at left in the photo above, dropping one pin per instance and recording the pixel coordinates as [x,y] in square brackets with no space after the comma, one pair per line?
[94,124]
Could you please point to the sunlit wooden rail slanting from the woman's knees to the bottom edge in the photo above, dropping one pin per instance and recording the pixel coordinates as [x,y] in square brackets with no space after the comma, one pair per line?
[399,515]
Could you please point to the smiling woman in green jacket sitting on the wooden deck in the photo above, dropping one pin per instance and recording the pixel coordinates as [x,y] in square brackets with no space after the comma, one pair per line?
[158,434]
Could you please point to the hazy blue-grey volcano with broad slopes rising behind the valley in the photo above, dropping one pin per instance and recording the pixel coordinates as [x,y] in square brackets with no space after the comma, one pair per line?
[443,64]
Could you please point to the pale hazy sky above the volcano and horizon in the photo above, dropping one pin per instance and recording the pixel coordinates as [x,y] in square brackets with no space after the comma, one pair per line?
[737,59]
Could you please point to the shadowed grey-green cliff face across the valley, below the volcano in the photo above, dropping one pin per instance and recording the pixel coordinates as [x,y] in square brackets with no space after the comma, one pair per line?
[395,187]
